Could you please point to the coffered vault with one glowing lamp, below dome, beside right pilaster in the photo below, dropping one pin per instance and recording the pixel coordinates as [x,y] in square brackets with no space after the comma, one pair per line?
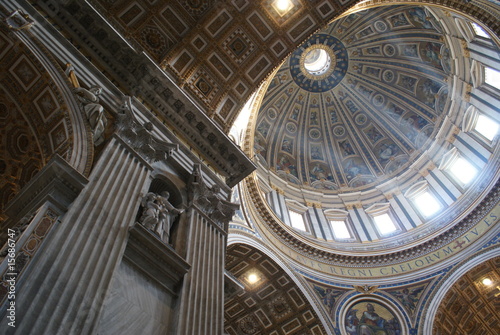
[271,302]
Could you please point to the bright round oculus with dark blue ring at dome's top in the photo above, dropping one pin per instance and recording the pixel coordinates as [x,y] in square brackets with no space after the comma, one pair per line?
[320,64]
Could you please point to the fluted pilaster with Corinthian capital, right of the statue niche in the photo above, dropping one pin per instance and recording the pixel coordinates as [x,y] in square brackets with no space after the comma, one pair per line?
[202,298]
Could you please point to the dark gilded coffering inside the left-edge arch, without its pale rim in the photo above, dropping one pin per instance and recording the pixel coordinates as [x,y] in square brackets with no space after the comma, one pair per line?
[35,123]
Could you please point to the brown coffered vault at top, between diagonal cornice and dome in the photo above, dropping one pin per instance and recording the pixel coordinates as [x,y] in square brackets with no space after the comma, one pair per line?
[220,51]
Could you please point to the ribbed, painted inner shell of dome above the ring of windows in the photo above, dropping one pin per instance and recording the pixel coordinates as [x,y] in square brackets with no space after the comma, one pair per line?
[375,97]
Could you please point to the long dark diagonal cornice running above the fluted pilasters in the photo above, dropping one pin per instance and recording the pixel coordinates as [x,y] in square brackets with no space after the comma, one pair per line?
[137,75]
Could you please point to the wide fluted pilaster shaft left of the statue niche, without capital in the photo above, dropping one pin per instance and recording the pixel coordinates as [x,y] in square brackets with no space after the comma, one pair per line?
[68,281]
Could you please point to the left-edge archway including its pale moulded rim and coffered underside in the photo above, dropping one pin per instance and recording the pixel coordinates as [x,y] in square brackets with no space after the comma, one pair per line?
[39,114]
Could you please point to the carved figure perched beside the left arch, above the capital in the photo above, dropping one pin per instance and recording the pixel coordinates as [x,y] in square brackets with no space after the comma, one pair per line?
[93,111]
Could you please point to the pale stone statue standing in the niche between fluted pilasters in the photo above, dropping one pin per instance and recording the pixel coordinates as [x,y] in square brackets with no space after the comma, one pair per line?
[159,214]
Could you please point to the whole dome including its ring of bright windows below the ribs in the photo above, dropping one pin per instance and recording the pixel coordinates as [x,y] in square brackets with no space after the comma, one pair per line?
[362,124]
